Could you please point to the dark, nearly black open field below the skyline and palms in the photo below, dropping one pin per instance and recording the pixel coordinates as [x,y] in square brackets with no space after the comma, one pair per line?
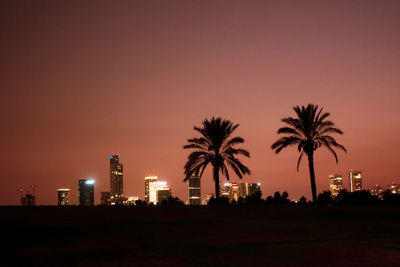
[272,235]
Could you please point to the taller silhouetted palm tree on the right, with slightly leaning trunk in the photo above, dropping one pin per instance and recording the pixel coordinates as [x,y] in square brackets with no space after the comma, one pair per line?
[309,131]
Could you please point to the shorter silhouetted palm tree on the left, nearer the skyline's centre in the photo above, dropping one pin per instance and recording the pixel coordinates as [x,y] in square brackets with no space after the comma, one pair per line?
[215,147]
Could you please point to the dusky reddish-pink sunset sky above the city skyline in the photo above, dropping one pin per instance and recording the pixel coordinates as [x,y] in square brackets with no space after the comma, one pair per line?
[84,79]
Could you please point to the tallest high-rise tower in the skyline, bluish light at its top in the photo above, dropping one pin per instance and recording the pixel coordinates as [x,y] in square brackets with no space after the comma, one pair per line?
[116,180]
